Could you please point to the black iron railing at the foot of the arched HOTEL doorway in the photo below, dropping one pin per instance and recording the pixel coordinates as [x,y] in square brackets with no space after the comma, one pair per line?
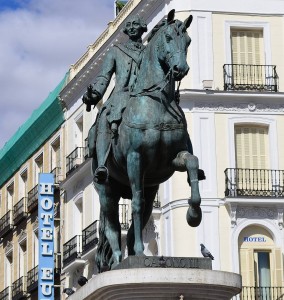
[261,293]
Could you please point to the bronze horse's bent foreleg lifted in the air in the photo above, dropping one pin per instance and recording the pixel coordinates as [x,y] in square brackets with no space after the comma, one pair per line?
[190,162]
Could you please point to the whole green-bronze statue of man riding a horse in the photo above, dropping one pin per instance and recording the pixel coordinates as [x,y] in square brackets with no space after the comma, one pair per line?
[140,136]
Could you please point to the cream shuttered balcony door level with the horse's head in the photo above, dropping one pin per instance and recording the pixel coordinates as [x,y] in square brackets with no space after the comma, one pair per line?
[247,58]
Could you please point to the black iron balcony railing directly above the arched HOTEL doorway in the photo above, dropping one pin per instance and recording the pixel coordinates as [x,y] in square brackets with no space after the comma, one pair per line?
[254,183]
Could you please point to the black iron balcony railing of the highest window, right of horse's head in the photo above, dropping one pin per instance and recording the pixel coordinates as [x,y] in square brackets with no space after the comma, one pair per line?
[261,78]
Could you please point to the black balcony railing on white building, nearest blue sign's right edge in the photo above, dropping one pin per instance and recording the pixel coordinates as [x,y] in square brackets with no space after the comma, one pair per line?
[72,250]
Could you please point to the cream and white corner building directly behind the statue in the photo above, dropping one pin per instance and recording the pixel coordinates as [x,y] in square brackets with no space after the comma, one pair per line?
[233,101]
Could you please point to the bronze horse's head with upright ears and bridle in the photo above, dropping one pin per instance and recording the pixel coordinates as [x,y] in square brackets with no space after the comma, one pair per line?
[173,45]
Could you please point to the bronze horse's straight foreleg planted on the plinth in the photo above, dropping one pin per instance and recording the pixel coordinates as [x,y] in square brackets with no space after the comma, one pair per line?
[135,175]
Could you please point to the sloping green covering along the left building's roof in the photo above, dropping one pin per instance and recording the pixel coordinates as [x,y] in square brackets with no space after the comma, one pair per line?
[43,122]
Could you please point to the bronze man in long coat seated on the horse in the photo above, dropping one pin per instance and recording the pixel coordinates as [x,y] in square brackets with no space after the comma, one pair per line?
[123,60]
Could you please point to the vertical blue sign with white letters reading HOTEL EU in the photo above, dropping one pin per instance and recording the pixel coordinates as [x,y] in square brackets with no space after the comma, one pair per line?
[46,236]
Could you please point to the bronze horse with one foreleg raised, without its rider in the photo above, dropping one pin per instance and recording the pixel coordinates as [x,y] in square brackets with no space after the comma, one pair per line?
[152,144]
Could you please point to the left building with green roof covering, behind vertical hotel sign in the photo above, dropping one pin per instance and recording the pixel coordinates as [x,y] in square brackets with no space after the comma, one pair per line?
[37,147]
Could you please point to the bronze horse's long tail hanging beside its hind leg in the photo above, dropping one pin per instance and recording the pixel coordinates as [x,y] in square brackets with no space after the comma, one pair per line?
[104,252]
